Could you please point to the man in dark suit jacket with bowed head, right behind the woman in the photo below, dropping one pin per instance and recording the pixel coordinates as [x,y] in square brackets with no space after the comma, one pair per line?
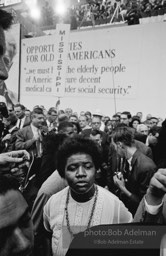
[133,182]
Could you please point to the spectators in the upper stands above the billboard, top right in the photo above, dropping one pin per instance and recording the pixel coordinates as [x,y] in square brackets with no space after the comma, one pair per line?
[128,11]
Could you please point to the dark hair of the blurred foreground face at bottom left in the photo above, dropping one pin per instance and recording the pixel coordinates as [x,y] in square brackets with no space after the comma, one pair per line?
[8,183]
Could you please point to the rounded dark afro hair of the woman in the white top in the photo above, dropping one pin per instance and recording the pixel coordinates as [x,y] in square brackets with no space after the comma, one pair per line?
[75,145]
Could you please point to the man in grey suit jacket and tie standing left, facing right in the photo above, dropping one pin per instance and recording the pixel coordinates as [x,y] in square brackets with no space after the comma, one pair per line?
[30,138]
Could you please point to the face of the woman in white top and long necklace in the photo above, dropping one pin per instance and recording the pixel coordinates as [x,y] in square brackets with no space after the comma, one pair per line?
[80,172]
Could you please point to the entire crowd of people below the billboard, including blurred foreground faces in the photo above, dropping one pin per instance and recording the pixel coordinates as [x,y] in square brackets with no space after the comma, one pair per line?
[63,172]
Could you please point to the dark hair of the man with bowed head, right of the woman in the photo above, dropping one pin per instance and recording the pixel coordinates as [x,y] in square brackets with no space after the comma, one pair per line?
[123,134]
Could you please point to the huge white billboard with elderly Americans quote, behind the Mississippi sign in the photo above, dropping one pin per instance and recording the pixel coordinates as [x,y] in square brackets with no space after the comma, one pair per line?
[105,66]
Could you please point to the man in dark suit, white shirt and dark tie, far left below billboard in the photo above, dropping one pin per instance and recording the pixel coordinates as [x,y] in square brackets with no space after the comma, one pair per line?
[23,120]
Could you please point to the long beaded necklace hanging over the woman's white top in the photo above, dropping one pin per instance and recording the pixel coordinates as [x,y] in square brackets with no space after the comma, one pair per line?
[91,215]
